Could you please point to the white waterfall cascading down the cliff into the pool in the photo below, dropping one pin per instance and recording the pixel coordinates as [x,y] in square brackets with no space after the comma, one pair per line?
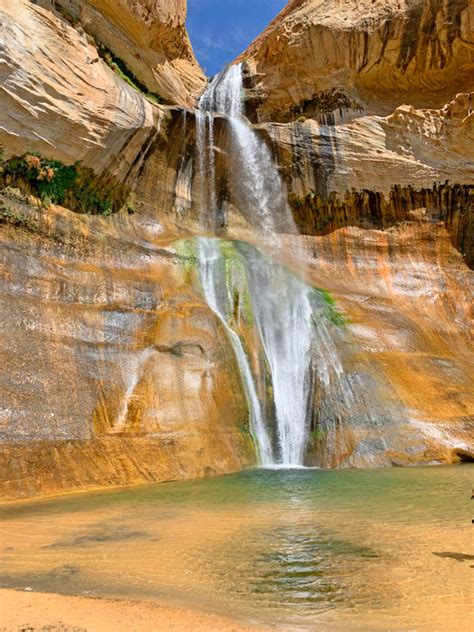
[281,303]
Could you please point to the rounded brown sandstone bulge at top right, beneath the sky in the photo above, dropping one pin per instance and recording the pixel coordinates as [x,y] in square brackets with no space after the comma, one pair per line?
[321,55]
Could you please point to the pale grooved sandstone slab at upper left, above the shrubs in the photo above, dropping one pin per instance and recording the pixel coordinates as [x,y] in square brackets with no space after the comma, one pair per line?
[58,97]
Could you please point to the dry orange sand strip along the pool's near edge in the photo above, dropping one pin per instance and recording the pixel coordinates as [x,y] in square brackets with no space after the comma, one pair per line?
[29,611]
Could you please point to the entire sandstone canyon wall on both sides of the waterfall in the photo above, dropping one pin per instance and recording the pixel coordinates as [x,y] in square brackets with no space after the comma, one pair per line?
[117,371]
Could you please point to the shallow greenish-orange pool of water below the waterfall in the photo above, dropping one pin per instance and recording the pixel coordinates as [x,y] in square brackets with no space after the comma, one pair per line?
[387,549]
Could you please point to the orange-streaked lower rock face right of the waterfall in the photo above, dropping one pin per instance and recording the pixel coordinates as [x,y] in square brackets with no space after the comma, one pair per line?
[405,291]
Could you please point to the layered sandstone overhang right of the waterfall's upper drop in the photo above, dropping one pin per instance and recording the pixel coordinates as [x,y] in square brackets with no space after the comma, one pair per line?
[368,107]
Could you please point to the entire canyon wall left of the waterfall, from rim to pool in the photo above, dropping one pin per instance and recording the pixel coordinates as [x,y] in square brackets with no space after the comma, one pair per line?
[116,370]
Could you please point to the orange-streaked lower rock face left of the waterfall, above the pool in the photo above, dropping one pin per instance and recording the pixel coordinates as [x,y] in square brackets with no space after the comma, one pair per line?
[118,372]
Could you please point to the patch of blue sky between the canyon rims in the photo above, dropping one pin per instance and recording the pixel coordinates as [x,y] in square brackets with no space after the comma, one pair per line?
[221,29]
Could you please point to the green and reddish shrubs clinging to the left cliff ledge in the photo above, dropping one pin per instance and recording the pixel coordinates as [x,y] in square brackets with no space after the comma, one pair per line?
[53,182]
